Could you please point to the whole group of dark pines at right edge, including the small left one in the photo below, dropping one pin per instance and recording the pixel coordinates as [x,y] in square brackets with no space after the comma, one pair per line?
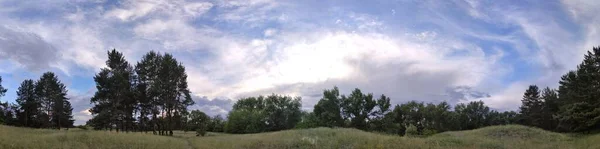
[574,107]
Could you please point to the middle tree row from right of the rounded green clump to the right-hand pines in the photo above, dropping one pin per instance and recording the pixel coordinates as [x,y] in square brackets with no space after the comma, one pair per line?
[362,111]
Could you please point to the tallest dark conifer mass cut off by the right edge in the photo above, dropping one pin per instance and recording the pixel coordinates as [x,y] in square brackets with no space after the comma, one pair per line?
[578,92]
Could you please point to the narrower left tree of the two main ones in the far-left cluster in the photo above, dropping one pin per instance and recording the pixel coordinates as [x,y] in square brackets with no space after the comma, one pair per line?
[29,105]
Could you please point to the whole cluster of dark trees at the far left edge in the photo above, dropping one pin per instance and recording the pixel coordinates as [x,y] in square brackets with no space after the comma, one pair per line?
[40,104]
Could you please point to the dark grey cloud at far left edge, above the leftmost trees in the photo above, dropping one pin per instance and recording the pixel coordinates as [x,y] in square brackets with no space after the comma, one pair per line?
[26,48]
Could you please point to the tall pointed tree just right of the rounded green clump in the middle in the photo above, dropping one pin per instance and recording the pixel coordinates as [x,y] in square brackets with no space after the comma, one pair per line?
[328,109]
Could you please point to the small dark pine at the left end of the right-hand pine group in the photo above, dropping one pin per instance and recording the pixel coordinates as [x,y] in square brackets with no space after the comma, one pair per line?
[531,108]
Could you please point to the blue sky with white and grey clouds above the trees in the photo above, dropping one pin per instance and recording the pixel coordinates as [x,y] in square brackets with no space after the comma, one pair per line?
[423,50]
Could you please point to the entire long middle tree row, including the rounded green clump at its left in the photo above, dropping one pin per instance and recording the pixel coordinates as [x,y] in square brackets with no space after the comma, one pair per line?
[360,111]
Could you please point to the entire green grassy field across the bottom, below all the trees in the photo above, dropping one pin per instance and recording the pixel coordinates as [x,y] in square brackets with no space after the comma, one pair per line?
[496,137]
